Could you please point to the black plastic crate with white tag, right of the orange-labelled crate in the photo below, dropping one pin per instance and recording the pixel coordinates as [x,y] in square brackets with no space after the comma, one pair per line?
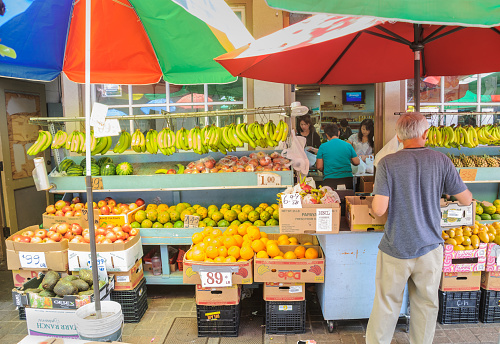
[285,317]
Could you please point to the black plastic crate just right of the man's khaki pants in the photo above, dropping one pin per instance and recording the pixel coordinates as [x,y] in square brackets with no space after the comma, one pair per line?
[461,307]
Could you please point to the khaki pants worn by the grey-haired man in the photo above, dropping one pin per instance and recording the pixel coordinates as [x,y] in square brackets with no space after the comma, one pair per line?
[423,275]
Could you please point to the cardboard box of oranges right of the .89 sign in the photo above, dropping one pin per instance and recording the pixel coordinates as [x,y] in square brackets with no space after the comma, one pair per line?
[290,270]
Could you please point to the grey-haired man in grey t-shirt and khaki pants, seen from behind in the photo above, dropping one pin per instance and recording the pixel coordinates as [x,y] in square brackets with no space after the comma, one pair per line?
[408,185]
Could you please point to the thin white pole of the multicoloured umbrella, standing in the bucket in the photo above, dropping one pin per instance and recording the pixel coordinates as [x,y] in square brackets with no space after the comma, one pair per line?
[88,174]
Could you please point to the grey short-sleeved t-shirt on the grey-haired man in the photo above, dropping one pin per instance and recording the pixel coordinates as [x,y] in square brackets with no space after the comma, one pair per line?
[414,180]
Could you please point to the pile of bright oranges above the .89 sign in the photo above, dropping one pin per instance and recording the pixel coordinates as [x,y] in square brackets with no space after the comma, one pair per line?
[240,243]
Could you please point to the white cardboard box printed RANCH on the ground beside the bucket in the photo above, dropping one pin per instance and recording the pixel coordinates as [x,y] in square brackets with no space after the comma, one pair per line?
[58,323]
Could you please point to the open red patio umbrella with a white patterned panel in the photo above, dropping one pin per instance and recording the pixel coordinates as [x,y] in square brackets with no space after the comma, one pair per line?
[334,49]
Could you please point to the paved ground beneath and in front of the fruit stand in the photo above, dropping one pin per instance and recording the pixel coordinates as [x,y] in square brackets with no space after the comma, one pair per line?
[171,318]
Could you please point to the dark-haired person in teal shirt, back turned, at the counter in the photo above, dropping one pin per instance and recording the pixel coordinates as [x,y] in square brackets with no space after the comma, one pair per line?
[334,159]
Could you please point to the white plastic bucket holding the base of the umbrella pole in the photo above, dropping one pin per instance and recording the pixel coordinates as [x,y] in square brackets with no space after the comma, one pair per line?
[106,329]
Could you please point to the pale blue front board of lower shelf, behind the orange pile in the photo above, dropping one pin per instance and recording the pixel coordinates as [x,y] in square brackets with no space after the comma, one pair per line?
[180,236]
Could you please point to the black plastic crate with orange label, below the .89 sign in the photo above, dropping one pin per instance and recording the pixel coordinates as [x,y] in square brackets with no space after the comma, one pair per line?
[218,321]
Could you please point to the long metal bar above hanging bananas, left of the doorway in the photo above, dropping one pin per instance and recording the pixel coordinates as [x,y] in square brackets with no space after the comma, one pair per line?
[284,111]
